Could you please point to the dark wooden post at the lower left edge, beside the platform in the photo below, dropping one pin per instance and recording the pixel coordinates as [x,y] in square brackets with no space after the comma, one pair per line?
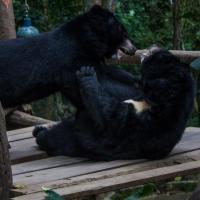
[5,167]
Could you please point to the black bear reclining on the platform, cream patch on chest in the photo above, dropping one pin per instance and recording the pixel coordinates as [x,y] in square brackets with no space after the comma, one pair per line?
[116,128]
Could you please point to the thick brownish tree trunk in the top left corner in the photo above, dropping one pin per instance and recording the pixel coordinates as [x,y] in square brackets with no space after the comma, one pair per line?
[7,22]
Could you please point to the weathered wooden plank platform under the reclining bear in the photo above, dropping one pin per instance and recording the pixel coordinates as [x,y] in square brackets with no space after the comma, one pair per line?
[78,177]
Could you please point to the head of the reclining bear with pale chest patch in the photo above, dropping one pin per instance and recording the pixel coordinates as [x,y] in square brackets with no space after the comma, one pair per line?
[164,76]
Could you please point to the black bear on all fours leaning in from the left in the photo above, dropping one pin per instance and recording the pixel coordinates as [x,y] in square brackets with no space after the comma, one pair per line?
[32,68]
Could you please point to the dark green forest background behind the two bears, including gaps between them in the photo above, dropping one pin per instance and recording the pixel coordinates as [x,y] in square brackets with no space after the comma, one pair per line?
[171,24]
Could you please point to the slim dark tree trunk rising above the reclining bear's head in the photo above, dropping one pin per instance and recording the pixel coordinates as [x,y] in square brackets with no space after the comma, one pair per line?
[176,25]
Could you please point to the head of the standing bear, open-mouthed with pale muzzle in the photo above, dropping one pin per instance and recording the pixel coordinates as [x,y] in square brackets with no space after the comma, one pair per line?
[100,35]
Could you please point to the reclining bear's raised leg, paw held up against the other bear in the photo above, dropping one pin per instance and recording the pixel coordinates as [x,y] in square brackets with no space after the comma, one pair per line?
[98,103]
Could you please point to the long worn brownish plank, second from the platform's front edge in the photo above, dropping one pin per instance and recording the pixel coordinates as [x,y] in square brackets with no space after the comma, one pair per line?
[108,173]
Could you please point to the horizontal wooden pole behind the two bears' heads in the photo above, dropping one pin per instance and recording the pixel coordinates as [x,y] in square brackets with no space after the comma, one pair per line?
[185,56]
